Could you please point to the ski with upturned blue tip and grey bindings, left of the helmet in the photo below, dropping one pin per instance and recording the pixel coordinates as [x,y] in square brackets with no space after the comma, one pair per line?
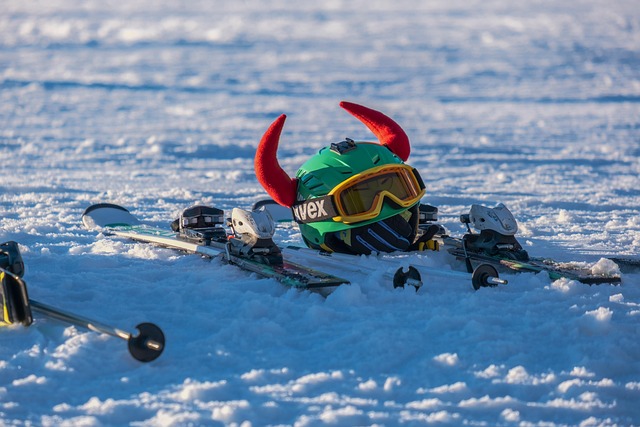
[199,231]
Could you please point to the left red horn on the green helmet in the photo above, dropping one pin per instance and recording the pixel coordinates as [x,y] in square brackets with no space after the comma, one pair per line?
[273,178]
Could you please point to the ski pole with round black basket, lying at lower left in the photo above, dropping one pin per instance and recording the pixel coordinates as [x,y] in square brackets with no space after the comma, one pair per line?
[146,346]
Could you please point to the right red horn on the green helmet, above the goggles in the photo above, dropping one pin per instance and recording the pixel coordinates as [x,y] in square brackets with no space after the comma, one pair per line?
[388,132]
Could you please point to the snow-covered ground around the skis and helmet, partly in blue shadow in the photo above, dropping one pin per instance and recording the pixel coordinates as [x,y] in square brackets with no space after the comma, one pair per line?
[159,105]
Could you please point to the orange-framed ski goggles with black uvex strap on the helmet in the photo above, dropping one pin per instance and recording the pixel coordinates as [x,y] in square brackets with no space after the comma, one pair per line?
[362,196]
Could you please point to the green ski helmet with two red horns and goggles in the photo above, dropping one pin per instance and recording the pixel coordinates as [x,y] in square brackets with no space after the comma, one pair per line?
[350,196]
